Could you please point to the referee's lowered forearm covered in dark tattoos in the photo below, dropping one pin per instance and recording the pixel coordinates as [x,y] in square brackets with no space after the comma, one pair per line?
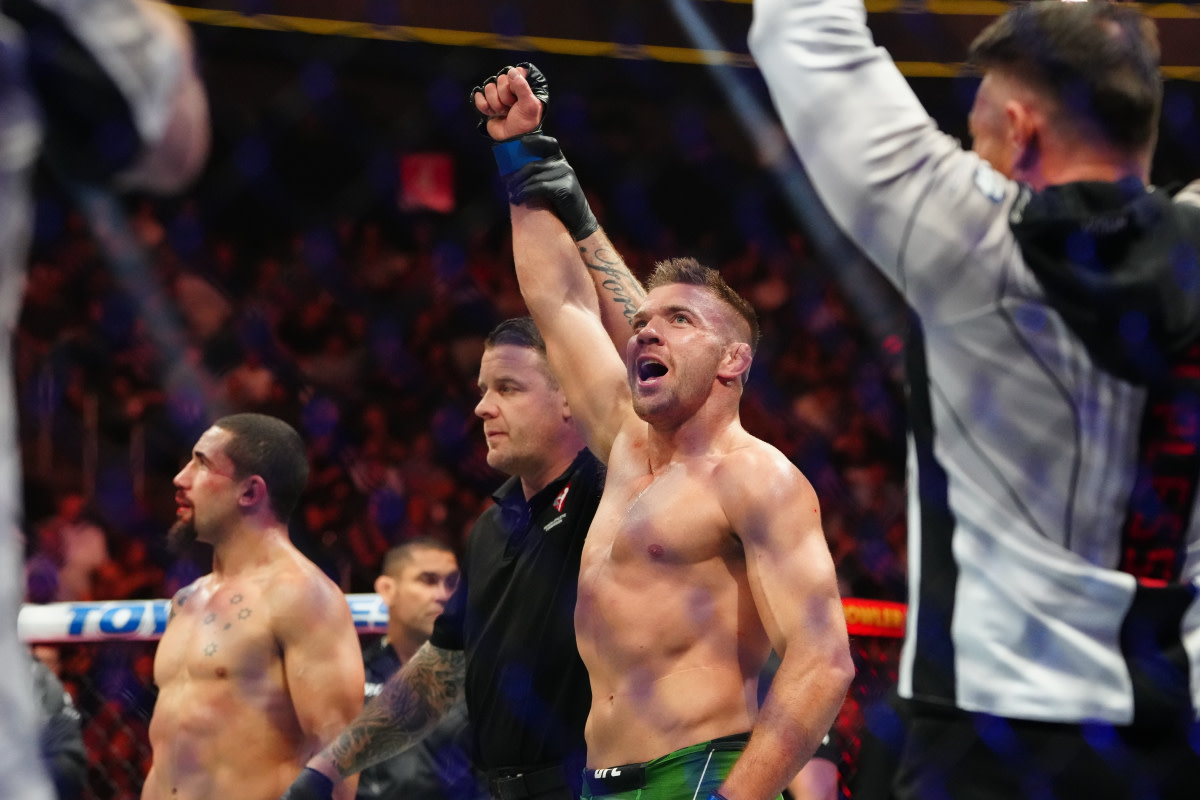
[412,702]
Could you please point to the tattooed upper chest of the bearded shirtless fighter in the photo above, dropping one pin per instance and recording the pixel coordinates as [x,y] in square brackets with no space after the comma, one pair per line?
[219,635]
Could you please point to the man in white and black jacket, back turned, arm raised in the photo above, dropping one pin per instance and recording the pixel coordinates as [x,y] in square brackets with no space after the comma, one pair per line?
[1053,369]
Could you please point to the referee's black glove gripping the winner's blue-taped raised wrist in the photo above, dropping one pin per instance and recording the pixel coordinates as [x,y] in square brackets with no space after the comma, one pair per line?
[535,169]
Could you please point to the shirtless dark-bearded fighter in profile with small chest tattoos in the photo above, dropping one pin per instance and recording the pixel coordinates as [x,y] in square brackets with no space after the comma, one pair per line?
[260,666]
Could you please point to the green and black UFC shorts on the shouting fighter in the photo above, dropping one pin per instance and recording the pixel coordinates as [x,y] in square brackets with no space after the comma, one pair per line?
[687,774]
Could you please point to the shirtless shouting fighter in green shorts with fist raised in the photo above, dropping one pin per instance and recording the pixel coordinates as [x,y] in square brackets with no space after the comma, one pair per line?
[707,550]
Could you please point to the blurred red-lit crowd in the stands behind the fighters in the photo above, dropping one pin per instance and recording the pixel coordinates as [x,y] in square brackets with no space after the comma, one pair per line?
[370,345]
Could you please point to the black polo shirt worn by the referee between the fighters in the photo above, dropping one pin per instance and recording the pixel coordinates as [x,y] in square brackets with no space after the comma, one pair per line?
[514,617]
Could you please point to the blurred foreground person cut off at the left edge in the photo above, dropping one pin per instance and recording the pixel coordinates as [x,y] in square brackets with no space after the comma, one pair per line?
[109,92]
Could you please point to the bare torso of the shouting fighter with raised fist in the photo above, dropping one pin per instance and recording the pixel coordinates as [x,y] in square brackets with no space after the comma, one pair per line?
[665,619]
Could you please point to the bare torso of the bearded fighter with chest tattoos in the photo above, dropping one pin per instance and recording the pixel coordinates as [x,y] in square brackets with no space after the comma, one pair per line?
[224,725]
